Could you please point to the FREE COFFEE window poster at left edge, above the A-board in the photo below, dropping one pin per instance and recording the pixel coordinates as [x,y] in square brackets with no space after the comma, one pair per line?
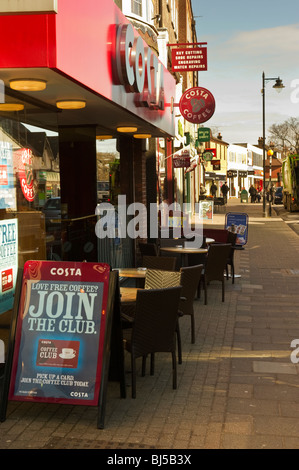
[8,262]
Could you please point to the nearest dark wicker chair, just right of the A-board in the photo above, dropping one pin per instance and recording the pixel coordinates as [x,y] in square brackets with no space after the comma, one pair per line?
[154,328]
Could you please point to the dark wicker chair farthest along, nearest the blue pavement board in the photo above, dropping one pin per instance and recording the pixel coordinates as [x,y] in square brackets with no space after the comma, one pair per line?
[215,266]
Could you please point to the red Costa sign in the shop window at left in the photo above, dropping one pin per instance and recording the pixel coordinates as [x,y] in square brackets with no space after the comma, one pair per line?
[24,167]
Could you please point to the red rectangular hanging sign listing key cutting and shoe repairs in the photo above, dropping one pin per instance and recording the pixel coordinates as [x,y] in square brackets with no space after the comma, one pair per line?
[189,59]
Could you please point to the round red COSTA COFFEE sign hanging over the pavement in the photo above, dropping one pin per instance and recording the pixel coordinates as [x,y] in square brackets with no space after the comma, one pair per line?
[197,105]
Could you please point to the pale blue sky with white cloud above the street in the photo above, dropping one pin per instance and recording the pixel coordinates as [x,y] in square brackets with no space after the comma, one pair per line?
[244,39]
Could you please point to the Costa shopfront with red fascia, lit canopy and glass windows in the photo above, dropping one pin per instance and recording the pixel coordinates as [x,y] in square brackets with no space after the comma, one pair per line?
[78,70]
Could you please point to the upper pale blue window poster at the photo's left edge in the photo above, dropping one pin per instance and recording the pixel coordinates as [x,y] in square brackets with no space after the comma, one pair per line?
[7,190]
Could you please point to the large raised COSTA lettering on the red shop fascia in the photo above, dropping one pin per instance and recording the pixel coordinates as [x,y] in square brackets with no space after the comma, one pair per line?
[138,69]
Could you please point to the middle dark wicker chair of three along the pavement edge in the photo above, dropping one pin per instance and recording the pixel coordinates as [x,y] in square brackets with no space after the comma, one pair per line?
[190,279]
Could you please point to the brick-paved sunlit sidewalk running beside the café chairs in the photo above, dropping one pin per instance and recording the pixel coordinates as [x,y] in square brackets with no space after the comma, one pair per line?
[237,386]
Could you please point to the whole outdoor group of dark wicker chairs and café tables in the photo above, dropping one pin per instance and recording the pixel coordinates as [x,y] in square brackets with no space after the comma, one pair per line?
[154,294]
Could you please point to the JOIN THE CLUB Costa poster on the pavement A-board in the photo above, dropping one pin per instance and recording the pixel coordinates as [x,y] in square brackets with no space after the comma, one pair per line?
[60,332]
